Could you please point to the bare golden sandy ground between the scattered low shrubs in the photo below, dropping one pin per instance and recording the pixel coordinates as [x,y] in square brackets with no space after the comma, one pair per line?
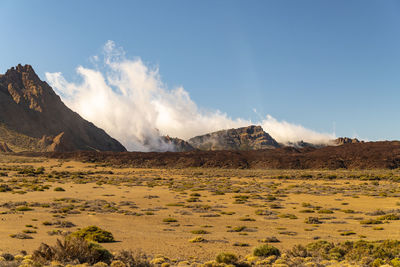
[151,235]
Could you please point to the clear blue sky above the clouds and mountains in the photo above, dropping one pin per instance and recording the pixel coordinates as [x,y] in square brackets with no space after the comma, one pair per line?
[321,64]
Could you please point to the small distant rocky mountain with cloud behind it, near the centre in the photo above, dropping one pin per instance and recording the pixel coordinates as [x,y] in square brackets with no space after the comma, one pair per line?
[245,138]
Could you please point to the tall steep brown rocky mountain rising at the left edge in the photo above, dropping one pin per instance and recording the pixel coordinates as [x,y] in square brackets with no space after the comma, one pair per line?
[33,118]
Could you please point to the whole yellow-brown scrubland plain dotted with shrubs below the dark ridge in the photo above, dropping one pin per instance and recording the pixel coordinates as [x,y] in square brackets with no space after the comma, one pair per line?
[189,216]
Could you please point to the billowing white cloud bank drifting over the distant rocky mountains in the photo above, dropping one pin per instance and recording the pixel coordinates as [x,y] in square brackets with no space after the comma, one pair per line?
[130,102]
